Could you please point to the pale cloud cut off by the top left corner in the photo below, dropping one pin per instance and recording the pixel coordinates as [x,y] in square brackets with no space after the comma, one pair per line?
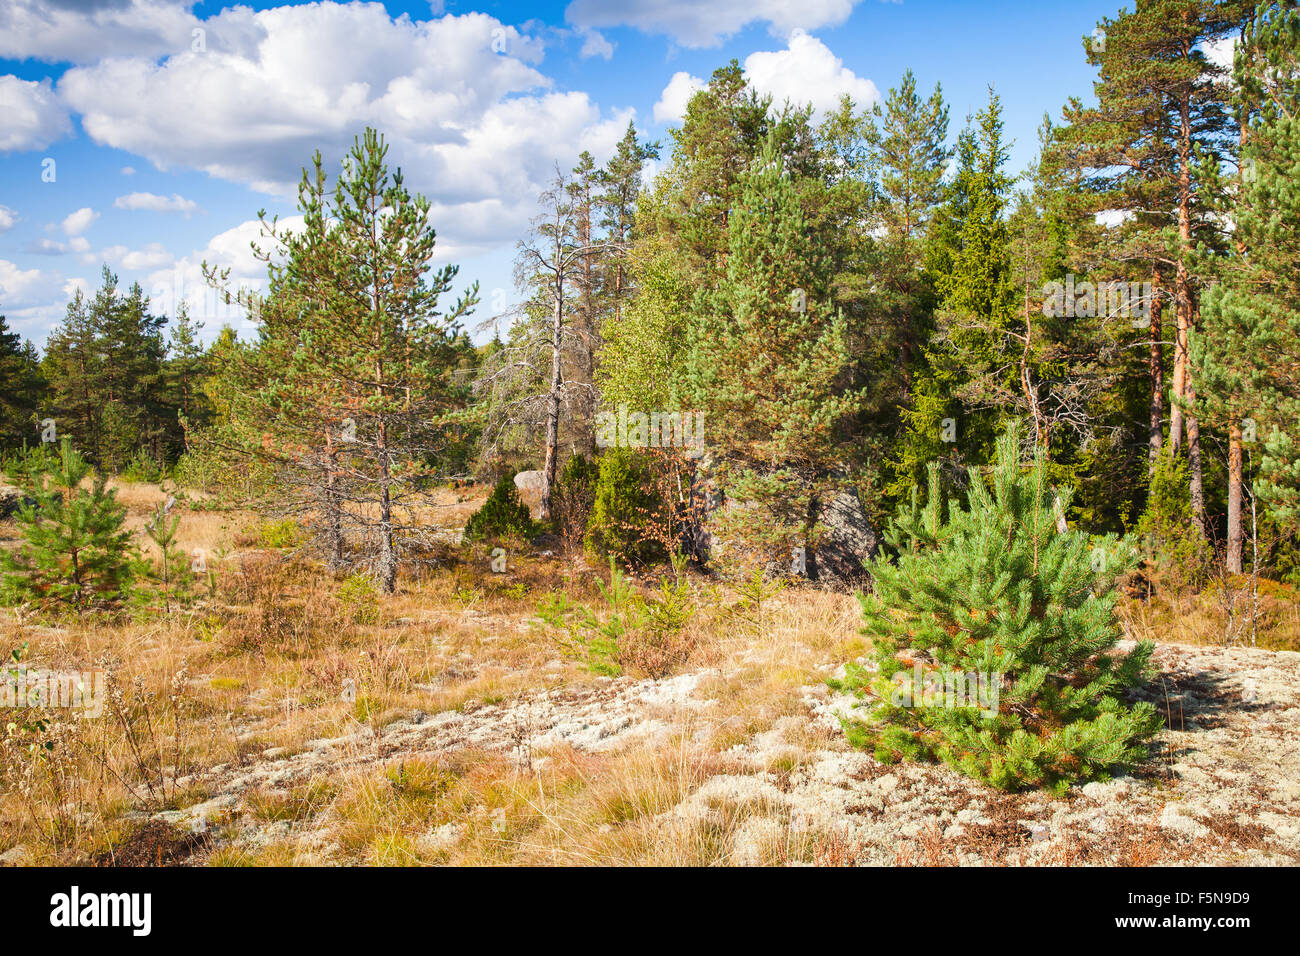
[89,31]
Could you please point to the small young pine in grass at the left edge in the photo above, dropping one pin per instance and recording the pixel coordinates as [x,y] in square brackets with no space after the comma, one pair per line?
[75,551]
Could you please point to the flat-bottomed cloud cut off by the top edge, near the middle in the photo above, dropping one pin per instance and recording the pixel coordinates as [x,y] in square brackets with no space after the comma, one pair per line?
[705,23]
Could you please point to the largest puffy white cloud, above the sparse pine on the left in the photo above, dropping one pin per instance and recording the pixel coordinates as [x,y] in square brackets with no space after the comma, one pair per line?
[467,116]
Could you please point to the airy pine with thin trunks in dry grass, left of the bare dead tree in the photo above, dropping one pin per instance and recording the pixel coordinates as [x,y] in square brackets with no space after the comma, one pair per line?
[353,391]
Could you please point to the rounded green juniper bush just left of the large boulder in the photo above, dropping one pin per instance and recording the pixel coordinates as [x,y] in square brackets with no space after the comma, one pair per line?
[625,504]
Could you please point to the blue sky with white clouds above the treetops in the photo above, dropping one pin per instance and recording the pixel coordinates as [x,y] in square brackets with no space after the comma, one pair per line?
[148,135]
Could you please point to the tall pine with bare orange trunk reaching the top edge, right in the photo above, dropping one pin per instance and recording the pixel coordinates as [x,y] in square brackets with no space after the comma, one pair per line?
[1150,150]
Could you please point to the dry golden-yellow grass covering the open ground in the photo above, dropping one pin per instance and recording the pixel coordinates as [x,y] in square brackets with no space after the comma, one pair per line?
[283,656]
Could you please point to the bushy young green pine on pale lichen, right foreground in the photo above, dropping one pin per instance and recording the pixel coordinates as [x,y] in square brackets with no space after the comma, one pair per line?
[996,591]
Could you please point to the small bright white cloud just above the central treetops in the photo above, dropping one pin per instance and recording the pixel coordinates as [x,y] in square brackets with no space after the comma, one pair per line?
[807,72]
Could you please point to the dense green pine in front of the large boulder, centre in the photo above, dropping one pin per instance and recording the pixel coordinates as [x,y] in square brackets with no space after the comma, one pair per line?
[770,361]
